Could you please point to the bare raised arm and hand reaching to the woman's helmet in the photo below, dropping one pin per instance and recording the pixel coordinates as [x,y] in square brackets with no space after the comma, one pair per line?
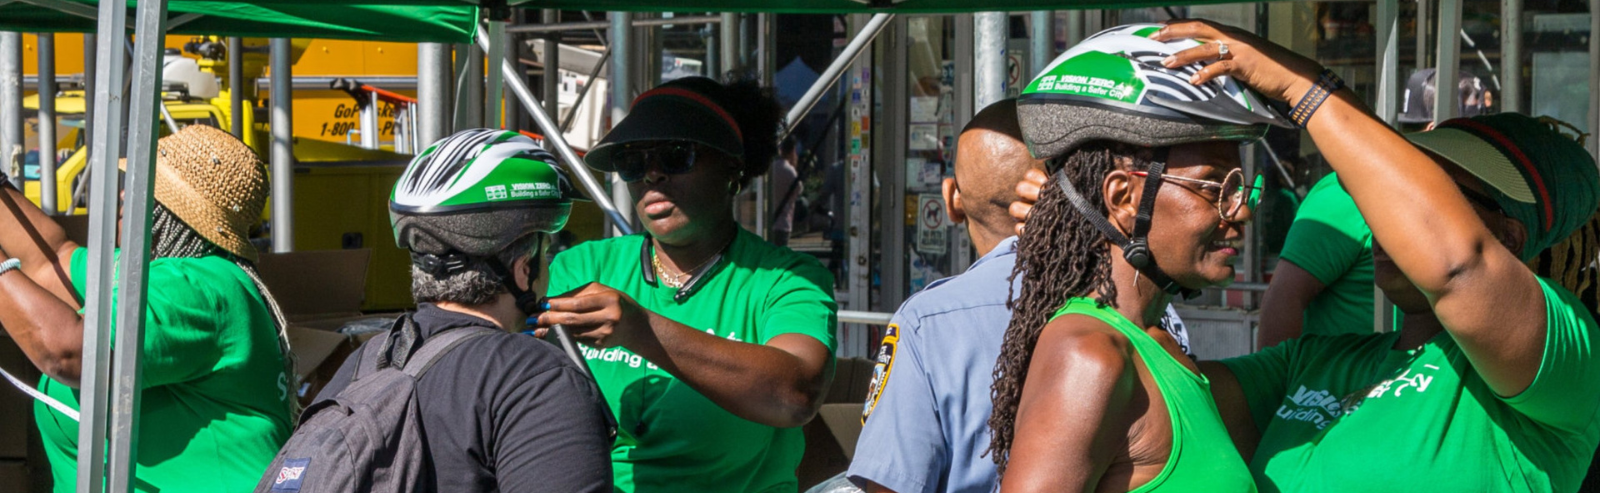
[1481,292]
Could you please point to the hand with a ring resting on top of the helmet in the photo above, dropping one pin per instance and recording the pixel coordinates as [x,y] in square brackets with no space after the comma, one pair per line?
[1265,66]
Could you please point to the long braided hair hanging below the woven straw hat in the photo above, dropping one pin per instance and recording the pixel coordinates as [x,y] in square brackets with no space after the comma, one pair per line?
[170,238]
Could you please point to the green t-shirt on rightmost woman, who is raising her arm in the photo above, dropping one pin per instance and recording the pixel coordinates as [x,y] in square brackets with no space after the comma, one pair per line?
[1350,414]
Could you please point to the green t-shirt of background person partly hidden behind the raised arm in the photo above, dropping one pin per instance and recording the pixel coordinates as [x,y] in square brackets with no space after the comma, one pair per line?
[1332,241]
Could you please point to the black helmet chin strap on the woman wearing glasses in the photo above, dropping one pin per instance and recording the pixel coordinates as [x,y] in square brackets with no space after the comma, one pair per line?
[1135,249]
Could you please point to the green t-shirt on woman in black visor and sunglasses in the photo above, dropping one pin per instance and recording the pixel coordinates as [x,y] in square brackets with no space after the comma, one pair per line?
[670,436]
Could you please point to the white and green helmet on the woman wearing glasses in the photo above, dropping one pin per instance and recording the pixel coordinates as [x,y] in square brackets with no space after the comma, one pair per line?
[1114,87]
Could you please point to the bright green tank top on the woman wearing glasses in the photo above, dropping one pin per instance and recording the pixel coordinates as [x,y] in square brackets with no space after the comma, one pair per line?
[1204,457]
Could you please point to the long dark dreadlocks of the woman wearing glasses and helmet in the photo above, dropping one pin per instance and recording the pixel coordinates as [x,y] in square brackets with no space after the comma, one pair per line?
[1058,257]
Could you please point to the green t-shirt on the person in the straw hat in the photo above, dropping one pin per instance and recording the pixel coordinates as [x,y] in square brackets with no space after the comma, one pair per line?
[215,404]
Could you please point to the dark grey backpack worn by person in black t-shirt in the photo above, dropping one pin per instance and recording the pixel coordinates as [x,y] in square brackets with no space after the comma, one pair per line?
[369,436]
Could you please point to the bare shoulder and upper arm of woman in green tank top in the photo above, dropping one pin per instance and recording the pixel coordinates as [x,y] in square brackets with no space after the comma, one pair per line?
[1073,417]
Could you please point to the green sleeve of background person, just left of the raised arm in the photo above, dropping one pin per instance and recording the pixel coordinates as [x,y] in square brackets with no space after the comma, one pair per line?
[1329,234]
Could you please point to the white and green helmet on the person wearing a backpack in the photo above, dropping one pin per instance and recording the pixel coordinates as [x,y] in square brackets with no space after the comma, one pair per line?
[478,193]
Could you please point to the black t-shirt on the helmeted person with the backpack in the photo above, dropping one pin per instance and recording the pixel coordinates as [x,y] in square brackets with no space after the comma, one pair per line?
[505,414]
